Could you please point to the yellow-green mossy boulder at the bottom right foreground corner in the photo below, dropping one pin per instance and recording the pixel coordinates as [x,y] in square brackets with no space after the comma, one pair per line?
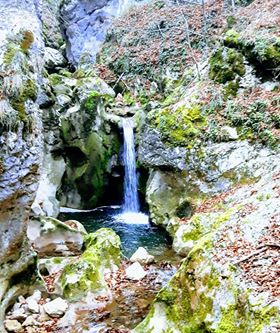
[205,297]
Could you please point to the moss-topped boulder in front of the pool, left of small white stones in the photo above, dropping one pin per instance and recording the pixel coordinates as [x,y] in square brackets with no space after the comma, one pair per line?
[86,274]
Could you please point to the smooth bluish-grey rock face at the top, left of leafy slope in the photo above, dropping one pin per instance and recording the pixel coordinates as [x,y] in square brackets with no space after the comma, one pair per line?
[85,26]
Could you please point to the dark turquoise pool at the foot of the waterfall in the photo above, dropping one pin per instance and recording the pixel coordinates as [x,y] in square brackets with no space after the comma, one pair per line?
[156,240]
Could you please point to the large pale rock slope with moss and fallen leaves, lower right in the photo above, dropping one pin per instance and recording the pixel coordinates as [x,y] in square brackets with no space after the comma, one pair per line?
[227,281]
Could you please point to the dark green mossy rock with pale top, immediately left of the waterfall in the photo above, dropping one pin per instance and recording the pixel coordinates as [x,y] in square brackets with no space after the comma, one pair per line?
[88,138]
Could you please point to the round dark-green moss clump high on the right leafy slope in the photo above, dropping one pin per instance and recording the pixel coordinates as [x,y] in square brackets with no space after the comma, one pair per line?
[226,65]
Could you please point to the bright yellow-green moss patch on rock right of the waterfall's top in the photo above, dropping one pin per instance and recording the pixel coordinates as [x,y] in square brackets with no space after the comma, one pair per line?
[179,127]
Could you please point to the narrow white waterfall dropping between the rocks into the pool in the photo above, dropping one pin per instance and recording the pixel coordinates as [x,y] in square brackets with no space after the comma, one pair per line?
[131,200]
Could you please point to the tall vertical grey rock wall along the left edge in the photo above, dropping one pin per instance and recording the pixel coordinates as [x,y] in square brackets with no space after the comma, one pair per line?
[20,137]
